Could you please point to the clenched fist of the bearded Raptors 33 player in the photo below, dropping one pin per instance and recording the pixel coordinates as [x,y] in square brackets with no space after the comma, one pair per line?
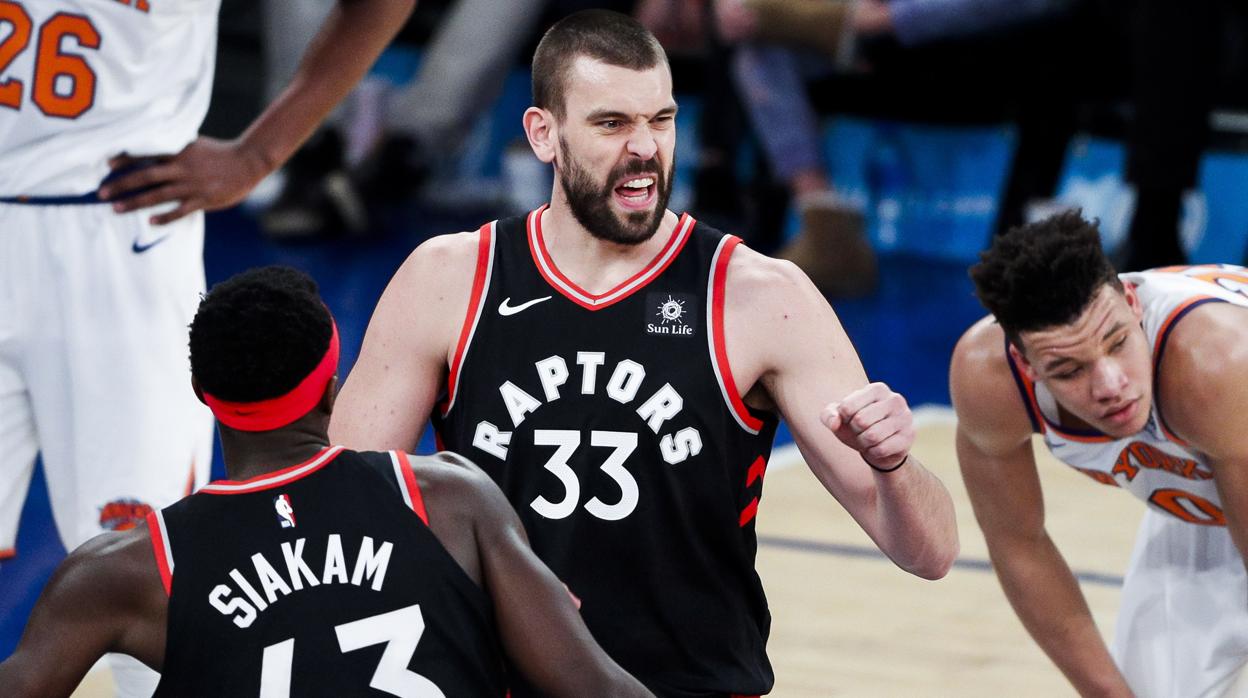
[877,423]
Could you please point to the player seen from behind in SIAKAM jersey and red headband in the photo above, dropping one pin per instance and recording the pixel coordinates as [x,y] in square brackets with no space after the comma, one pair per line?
[313,571]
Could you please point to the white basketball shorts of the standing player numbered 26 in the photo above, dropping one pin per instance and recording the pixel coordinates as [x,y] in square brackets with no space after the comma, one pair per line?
[94,370]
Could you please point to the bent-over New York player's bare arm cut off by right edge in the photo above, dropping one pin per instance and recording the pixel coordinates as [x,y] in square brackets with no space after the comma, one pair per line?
[1205,400]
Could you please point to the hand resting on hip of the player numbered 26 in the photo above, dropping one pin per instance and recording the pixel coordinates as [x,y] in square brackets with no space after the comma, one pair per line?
[207,175]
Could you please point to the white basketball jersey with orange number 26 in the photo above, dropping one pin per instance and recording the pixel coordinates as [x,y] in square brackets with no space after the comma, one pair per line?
[84,81]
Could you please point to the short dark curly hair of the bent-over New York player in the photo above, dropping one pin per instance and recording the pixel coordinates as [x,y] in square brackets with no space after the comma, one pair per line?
[1044,274]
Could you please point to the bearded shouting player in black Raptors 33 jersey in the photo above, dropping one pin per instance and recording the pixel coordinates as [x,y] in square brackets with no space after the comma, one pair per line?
[620,371]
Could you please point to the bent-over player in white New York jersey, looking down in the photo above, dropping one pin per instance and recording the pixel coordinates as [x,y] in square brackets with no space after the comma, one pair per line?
[1140,381]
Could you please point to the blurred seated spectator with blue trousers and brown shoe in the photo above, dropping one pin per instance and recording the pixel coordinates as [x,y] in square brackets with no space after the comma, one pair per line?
[784,44]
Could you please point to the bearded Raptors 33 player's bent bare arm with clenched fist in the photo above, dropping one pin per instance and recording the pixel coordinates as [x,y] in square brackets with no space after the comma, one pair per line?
[783,335]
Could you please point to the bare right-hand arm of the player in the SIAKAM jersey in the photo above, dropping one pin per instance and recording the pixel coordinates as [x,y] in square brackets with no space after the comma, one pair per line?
[540,625]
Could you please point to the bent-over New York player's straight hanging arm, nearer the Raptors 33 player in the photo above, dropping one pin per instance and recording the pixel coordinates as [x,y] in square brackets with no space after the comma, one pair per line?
[995,453]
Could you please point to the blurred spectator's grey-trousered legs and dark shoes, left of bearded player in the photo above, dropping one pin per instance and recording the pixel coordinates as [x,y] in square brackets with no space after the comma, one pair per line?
[388,140]
